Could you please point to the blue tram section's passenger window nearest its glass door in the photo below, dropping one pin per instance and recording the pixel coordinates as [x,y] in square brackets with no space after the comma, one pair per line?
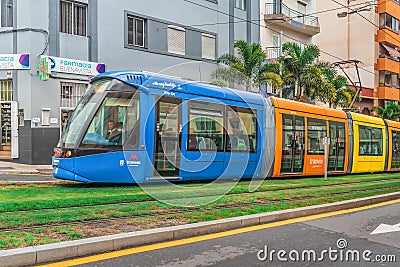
[206,131]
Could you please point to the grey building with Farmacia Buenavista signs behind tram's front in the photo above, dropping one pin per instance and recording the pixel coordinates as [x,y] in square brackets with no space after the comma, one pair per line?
[49,50]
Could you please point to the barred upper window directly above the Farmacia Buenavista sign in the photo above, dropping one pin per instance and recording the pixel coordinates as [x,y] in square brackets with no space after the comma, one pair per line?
[73,18]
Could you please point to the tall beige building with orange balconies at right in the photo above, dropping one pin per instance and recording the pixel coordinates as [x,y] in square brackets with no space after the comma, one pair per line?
[366,31]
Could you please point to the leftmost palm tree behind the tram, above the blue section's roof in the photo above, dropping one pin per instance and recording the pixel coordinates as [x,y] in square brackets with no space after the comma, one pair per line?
[250,64]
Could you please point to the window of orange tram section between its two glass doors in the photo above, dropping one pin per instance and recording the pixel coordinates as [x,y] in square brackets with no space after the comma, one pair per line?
[316,133]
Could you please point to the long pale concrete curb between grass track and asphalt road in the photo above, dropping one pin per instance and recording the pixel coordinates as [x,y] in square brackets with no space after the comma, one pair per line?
[70,249]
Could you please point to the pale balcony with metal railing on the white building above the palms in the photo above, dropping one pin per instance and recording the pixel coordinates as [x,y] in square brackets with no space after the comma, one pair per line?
[282,15]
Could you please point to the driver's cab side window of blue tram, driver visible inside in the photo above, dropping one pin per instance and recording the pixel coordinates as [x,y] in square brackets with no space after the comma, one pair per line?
[116,120]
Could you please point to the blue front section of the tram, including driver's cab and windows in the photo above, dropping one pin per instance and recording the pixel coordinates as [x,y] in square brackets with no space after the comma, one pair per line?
[135,127]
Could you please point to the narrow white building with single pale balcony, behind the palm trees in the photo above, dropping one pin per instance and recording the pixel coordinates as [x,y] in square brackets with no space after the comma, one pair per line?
[287,21]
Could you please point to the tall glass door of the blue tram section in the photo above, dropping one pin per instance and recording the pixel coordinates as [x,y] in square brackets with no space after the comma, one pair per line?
[168,131]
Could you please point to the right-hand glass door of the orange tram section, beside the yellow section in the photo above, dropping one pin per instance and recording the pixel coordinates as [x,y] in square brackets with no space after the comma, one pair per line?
[337,148]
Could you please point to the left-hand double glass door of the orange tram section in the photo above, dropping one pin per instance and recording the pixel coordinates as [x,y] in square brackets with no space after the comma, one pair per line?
[293,144]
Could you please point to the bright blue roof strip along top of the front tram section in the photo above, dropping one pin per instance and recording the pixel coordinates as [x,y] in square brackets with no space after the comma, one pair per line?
[170,83]
